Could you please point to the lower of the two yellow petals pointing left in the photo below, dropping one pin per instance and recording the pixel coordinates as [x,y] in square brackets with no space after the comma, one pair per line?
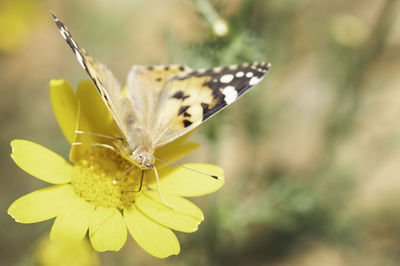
[42,204]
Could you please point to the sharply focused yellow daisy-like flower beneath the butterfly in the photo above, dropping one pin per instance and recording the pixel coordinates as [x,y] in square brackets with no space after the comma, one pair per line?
[83,197]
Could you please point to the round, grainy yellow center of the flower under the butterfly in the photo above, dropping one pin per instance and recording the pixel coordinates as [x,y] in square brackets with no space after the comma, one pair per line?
[94,176]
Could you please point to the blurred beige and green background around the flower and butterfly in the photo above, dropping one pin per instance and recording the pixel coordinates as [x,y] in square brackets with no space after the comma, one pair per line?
[312,154]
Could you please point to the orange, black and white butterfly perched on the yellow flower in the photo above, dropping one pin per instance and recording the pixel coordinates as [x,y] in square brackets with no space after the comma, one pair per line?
[163,103]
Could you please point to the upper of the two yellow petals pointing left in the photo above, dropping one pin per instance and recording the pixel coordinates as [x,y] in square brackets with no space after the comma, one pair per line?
[40,162]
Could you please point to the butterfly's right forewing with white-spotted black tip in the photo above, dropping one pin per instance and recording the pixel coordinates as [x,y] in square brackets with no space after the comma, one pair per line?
[189,99]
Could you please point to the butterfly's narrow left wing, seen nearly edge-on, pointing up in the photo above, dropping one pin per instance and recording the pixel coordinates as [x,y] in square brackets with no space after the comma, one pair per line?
[104,81]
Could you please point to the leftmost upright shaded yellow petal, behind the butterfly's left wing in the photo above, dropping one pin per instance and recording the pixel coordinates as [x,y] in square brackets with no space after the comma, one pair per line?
[65,104]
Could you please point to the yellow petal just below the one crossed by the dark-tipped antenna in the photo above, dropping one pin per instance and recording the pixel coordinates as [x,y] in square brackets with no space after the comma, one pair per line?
[182,216]
